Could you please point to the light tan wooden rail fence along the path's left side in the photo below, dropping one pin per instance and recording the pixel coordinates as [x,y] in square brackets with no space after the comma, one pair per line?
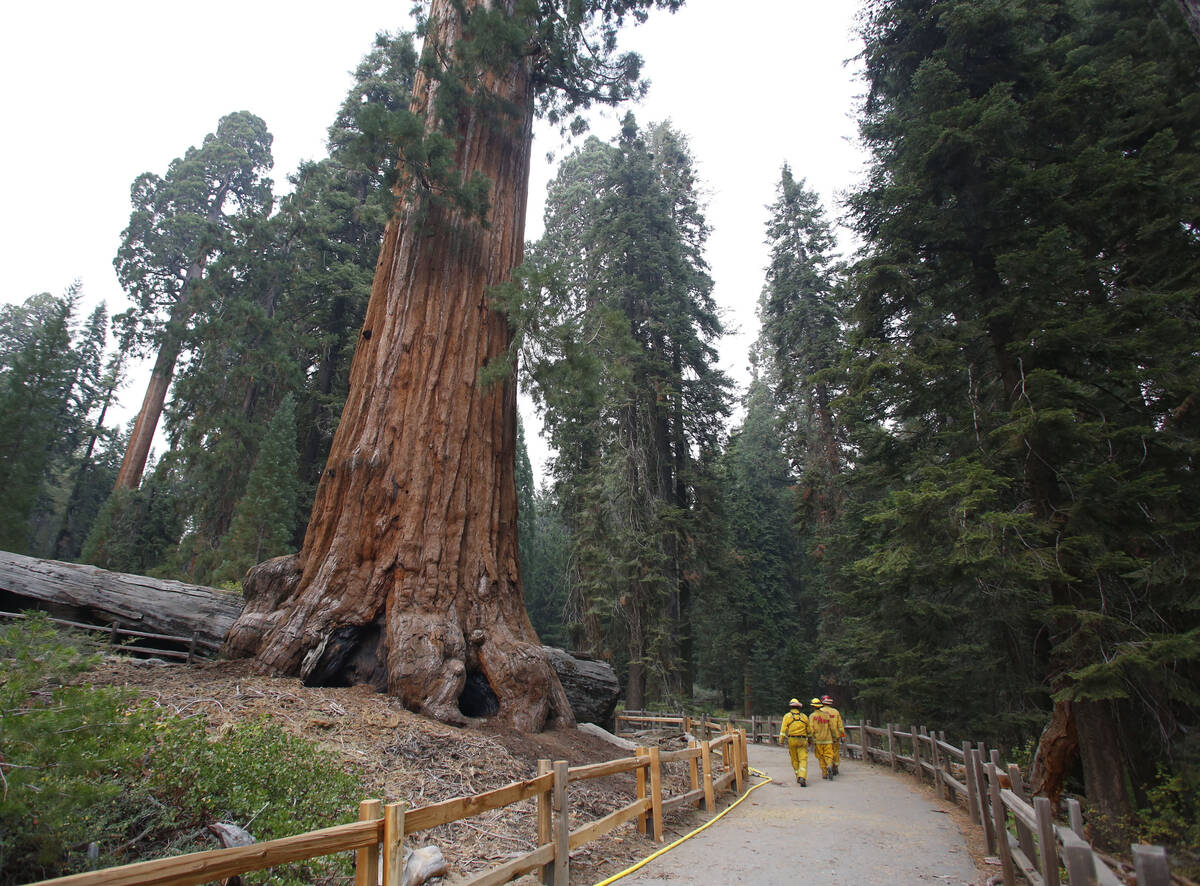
[379,837]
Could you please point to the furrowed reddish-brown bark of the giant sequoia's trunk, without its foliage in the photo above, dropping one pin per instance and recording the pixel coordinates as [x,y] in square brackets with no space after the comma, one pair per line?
[410,577]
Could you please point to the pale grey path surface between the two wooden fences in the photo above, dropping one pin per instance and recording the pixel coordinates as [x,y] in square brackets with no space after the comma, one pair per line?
[868,827]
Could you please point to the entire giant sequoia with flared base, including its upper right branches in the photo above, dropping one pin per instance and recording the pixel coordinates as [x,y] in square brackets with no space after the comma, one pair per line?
[409,578]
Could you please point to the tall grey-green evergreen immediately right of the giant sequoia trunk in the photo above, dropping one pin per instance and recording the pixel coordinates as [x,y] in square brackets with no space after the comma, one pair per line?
[621,358]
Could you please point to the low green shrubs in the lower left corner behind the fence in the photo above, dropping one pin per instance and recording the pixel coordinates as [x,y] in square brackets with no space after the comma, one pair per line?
[91,765]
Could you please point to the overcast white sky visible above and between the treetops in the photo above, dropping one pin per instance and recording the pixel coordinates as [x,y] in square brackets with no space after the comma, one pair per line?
[95,94]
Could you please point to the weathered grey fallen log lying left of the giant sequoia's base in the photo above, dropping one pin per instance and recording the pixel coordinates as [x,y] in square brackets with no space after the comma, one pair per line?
[95,596]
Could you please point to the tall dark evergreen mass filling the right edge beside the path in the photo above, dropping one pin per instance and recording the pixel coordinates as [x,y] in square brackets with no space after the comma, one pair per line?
[1027,326]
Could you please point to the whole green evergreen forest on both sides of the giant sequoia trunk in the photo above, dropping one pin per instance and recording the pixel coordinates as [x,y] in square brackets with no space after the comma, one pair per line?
[965,457]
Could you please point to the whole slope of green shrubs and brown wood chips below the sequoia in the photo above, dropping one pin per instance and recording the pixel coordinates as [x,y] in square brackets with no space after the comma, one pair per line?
[141,757]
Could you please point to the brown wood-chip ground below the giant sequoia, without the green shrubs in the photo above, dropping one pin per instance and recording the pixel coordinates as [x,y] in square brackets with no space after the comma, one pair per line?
[401,756]
